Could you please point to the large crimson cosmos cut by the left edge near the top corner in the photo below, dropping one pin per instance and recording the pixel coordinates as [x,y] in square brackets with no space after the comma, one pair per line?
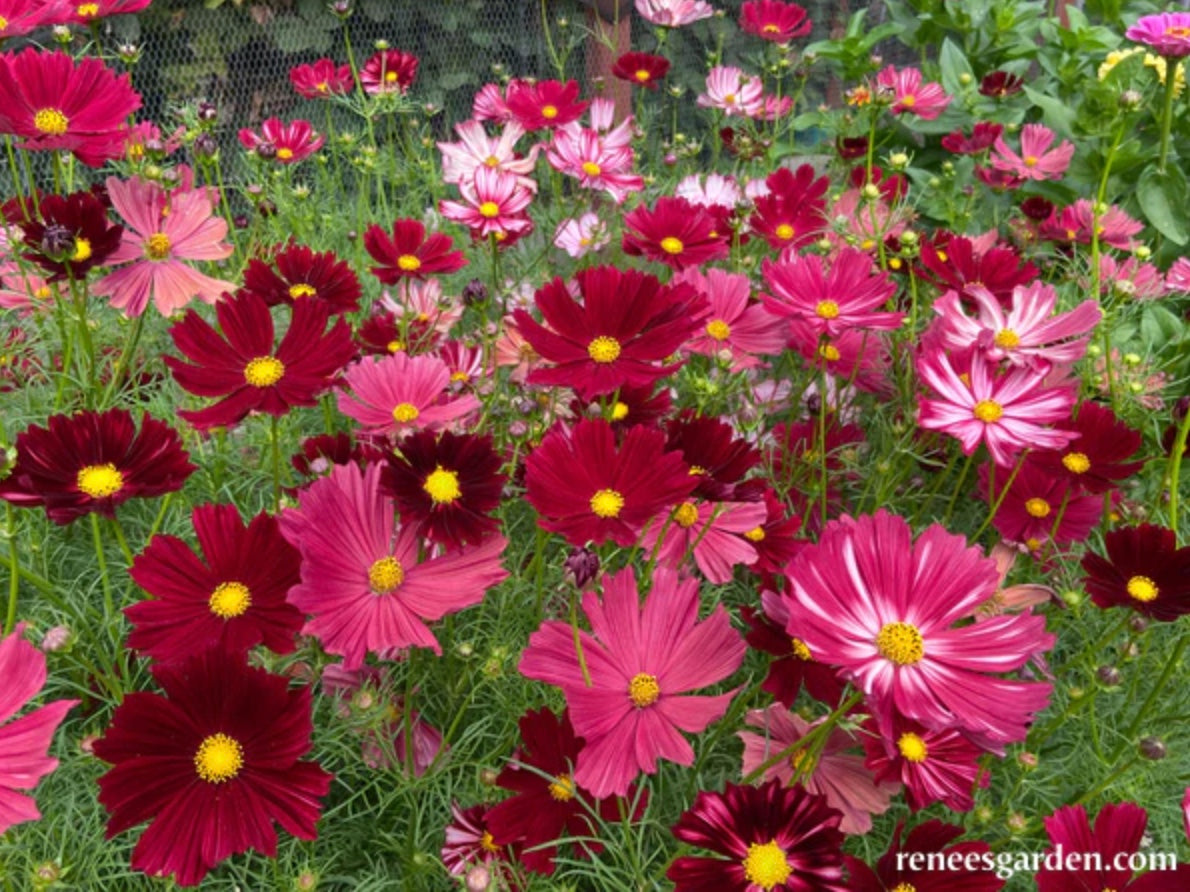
[61,105]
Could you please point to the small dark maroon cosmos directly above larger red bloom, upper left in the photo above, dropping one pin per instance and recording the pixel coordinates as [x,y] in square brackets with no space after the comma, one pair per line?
[303,275]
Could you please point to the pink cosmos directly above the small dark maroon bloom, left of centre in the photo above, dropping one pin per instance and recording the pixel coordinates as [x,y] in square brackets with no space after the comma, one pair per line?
[402,394]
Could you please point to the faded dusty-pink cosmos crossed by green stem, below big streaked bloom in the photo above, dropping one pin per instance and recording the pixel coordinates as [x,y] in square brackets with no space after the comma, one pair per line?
[838,775]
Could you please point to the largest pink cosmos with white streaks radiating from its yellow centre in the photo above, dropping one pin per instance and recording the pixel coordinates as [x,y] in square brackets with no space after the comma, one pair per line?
[884,608]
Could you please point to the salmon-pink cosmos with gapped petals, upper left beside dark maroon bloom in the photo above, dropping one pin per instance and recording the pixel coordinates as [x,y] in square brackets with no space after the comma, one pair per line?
[164,229]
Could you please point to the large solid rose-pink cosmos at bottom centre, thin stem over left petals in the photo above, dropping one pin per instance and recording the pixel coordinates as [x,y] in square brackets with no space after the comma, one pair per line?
[629,690]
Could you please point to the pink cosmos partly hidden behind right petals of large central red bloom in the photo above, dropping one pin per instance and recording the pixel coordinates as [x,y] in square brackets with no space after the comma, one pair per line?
[738,331]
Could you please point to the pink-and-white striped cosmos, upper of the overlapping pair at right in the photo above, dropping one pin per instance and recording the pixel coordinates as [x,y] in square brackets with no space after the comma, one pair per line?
[1028,335]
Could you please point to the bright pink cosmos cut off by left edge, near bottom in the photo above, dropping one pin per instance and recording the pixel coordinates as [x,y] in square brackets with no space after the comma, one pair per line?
[24,743]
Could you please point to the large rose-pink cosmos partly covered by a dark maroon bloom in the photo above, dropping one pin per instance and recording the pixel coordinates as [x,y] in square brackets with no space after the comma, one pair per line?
[362,582]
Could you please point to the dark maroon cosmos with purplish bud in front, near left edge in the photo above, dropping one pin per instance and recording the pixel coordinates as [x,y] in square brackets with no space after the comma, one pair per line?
[70,235]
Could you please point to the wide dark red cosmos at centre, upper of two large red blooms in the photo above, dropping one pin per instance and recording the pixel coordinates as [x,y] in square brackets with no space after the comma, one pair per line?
[625,326]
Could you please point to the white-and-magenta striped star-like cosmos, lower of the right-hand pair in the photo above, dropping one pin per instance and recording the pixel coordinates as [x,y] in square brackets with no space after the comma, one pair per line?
[1007,411]
